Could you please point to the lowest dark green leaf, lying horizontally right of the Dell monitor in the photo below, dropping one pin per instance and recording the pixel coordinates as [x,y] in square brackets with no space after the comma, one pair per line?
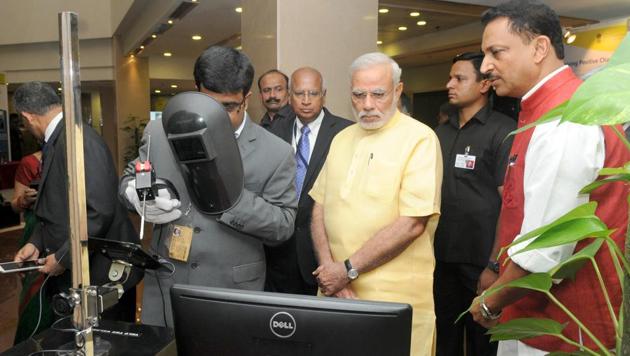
[525,328]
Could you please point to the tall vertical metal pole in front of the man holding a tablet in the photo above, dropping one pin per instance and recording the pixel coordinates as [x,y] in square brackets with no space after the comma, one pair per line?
[71,83]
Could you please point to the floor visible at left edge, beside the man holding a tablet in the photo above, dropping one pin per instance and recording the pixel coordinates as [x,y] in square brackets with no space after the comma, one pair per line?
[9,290]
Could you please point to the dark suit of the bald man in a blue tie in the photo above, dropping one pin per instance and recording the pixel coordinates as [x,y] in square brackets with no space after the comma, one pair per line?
[290,265]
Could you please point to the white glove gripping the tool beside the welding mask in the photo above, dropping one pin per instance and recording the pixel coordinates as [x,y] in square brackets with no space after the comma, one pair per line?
[162,210]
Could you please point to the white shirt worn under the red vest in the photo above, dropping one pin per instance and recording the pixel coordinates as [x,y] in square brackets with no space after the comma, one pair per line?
[561,159]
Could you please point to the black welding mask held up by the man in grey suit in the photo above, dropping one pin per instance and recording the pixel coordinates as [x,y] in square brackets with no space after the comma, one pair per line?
[202,140]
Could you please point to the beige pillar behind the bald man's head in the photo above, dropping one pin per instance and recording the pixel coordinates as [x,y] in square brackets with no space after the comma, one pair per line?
[327,35]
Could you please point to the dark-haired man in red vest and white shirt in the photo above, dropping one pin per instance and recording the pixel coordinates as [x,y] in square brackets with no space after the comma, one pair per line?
[548,166]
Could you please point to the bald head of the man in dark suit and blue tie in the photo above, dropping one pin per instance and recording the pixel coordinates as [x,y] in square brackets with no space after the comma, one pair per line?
[307,93]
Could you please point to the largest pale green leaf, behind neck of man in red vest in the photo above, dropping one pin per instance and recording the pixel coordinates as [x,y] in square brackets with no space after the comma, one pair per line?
[602,99]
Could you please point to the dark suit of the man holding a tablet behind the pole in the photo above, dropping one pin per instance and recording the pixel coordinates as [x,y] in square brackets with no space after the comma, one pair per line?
[106,216]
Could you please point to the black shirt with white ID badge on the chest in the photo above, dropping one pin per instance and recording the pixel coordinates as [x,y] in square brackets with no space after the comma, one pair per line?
[470,200]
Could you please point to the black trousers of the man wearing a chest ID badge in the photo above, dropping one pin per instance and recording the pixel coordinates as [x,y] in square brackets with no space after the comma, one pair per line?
[454,288]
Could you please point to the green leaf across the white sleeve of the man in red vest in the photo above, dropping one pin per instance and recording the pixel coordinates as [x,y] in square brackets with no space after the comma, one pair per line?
[568,232]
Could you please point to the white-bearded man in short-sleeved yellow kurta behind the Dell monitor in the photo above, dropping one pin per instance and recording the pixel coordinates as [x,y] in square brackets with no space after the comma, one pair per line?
[377,201]
